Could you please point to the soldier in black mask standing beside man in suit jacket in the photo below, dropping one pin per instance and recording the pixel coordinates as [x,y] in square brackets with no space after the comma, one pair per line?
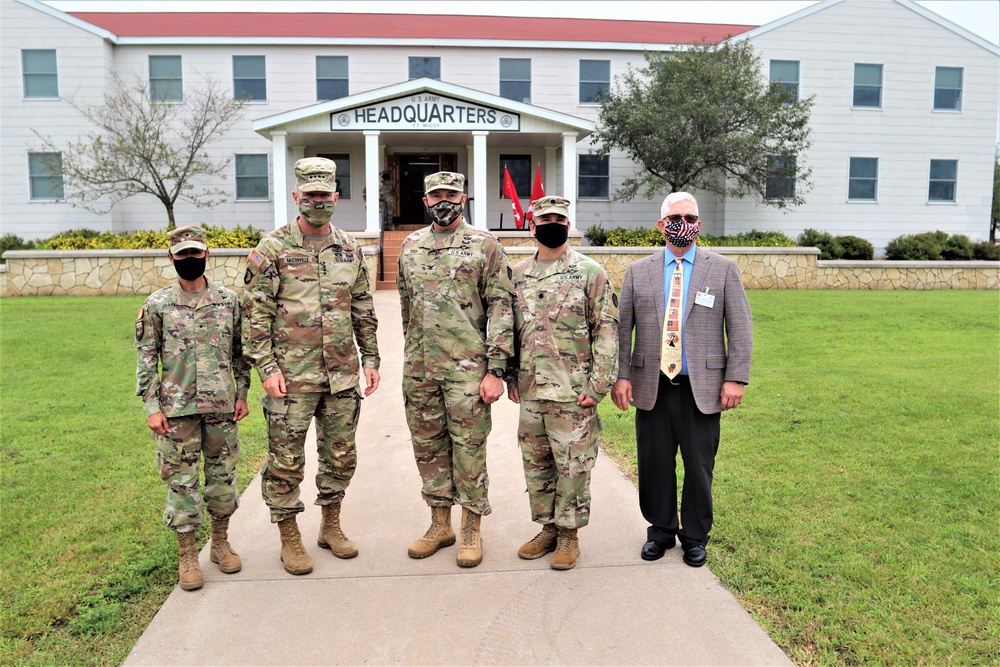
[565,361]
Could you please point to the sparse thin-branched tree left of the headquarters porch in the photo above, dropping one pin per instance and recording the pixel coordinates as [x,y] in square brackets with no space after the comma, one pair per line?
[141,145]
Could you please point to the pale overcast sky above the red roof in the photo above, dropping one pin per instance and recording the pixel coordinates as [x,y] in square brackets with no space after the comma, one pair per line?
[981,17]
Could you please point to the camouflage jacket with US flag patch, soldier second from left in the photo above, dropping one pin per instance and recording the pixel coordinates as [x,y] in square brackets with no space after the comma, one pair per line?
[302,311]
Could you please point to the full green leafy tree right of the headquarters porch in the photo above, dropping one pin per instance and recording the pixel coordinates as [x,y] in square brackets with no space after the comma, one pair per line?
[704,118]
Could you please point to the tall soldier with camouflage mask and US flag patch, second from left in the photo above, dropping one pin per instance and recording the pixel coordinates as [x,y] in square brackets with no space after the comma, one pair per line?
[307,300]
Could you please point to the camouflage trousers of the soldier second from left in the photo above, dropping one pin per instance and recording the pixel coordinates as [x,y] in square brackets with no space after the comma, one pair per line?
[288,421]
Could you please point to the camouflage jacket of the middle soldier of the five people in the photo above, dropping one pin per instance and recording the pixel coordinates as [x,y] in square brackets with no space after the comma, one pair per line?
[455,295]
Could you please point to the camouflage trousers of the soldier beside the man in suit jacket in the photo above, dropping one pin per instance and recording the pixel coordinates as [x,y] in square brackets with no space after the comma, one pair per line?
[558,448]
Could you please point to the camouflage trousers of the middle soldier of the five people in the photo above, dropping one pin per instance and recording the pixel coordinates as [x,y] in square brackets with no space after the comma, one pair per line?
[449,423]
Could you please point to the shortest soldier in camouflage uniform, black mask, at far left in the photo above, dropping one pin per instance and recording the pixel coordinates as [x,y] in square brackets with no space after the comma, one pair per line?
[191,330]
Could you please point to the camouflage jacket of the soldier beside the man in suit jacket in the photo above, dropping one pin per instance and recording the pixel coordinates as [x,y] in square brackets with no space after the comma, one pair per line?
[566,322]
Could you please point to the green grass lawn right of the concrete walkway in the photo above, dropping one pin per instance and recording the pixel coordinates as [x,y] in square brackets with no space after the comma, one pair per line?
[856,488]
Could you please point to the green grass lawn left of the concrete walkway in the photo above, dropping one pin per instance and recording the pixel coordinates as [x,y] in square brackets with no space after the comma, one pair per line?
[85,561]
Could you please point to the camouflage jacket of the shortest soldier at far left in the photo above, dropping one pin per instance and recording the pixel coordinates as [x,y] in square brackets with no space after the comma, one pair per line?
[199,346]
